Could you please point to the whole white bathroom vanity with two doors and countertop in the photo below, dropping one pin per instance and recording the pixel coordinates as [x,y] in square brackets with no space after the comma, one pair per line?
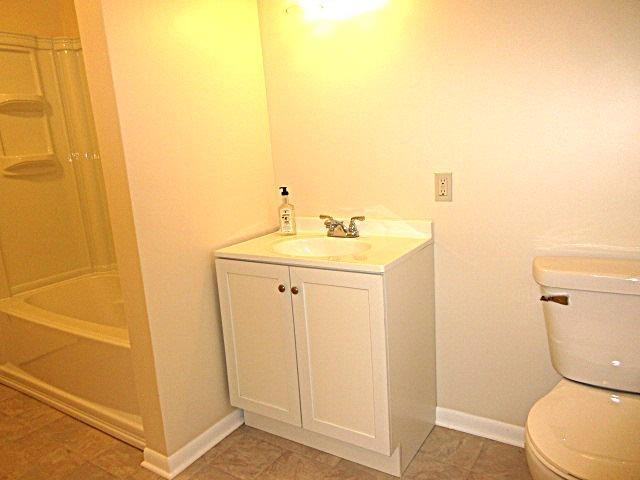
[330,342]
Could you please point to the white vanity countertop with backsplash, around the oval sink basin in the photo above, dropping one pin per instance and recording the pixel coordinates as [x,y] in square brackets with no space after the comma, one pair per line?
[387,241]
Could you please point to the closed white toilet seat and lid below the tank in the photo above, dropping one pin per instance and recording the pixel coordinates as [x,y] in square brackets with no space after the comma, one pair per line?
[586,432]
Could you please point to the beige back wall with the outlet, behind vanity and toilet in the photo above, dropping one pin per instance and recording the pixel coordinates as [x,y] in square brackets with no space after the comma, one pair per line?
[534,107]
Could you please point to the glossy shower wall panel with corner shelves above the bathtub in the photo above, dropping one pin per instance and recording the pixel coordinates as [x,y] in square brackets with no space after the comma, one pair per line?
[53,221]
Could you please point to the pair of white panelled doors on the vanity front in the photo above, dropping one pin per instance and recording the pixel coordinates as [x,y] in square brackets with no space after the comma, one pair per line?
[331,375]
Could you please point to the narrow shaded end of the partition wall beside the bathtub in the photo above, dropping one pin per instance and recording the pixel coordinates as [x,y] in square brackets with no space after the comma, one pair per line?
[116,182]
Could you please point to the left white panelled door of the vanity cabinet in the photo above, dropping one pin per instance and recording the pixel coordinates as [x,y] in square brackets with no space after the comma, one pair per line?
[255,301]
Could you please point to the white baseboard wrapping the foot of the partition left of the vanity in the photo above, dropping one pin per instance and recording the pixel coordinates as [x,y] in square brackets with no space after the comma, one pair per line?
[171,466]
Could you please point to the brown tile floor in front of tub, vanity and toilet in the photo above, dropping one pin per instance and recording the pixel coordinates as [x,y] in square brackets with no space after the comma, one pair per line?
[38,442]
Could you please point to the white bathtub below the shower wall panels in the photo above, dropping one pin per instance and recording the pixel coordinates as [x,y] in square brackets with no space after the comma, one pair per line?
[68,345]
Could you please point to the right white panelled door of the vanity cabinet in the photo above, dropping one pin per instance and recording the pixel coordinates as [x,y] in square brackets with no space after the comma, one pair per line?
[342,360]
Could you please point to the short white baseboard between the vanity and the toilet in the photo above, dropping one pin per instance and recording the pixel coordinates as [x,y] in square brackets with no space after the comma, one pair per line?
[481,426]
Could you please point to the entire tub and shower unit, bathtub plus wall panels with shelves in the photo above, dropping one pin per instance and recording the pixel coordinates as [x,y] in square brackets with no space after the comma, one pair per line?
[63,335]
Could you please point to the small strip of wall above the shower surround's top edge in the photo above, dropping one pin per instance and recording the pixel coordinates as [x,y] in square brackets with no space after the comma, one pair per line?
[42,18]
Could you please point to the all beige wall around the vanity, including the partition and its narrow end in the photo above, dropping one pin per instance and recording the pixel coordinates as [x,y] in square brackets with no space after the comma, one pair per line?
[533,107]
